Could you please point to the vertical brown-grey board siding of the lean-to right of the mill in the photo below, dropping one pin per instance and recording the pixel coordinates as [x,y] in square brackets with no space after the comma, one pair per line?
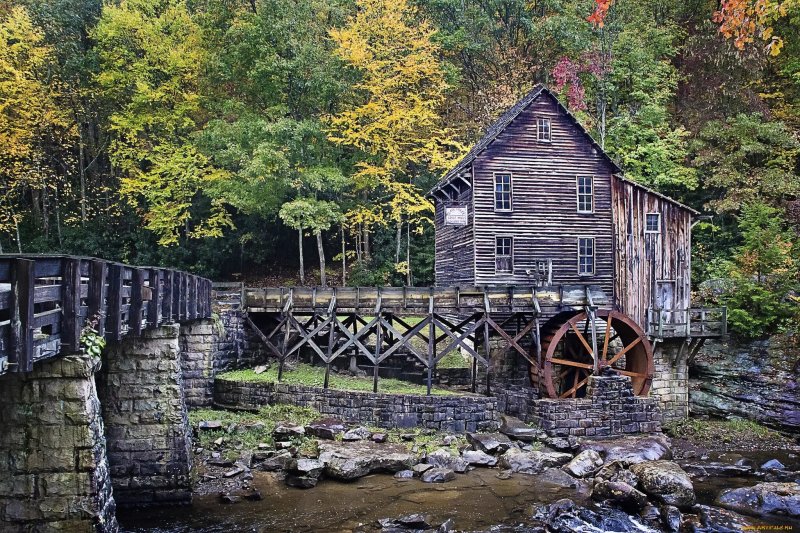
[644,259]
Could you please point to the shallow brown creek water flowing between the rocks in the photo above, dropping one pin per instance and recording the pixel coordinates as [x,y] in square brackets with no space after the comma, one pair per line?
[474,501]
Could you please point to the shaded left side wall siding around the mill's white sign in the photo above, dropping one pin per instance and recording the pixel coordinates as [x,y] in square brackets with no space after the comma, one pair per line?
[454,245]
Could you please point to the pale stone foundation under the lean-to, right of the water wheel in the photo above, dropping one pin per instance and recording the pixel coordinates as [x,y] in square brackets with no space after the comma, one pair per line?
[671,379]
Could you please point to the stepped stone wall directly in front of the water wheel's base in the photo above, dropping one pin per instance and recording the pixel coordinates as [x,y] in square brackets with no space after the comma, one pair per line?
[609,409]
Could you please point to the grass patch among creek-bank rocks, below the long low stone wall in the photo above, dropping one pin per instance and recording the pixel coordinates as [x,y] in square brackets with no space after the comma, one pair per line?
[245,431]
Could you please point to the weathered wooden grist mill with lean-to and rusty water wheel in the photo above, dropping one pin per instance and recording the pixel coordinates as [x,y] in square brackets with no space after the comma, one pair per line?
[538,203]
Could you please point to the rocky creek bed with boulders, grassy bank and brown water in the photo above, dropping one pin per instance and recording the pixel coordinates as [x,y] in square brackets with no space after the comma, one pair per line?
[327,475]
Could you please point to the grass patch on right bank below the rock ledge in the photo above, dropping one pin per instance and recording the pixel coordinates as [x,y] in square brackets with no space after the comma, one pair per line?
[726,431]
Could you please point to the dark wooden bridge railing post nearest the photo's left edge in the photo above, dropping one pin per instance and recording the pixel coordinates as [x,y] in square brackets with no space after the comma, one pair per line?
[22,294]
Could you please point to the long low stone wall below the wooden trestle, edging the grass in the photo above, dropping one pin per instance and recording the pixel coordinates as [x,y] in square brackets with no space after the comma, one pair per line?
[443,413]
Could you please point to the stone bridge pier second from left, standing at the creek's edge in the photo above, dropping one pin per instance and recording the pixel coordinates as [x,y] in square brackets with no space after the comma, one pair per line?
[147,426]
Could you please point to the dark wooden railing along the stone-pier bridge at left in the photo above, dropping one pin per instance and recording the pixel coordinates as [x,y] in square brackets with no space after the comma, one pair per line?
[46,301]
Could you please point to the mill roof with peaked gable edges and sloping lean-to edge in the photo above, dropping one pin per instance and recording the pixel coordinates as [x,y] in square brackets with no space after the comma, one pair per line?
[499,125]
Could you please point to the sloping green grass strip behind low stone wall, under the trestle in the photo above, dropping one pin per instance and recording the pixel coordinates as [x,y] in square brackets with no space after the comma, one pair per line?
[314,376]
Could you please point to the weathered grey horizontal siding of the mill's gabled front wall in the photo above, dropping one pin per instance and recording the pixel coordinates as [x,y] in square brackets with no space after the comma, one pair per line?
[544,221]
